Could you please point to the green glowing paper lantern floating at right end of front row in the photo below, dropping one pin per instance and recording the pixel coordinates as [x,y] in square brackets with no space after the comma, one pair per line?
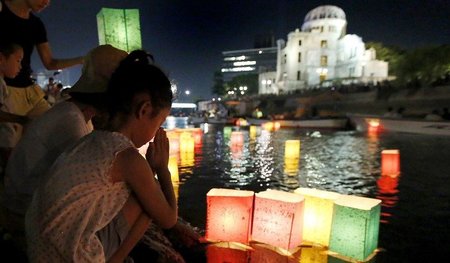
[355,227]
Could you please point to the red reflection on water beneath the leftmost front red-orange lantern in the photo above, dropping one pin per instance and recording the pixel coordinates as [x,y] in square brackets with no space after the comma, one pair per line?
[226,252]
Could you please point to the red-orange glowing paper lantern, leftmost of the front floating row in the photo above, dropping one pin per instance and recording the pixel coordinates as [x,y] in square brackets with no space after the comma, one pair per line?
[229,215]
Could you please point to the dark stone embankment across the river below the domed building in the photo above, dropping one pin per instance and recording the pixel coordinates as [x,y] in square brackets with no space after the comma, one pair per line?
[416,103]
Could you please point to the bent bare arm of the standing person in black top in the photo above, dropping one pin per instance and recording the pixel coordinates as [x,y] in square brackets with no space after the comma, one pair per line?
[52,63]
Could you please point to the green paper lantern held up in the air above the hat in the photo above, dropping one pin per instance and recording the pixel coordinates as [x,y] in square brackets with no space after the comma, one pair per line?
[120,28]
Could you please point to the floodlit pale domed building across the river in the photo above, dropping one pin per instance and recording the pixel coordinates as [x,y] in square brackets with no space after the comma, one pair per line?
[322,54]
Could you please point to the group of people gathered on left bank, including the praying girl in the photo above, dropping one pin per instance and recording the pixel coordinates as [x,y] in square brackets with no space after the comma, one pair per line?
[74,182]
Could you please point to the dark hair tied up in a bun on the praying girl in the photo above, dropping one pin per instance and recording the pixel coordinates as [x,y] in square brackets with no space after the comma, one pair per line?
[137,74]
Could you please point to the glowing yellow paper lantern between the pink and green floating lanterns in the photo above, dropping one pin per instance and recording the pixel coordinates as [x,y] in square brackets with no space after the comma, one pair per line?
[318,214]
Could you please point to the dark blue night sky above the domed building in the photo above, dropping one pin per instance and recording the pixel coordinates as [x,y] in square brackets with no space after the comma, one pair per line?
[187,37]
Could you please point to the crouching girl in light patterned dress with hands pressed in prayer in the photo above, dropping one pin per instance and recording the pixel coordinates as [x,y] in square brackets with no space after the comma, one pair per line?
[100,196]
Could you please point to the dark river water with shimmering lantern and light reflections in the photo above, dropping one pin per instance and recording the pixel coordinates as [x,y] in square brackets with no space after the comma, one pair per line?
[415,213]
